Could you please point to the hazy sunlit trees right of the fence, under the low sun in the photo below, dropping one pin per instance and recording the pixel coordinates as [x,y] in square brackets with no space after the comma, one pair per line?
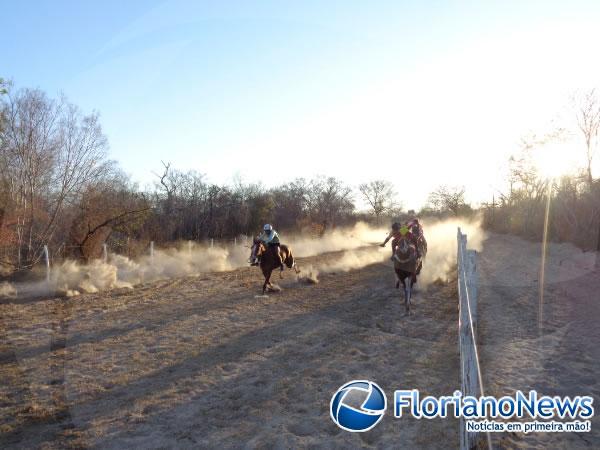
[570,201]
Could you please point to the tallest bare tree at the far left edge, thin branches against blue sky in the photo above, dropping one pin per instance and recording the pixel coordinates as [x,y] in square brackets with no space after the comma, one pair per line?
[50,152]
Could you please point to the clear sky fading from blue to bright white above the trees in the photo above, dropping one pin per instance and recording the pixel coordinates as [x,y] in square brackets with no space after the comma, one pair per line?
[420,93]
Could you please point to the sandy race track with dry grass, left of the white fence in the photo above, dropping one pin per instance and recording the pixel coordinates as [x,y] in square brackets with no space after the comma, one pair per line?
[207,362]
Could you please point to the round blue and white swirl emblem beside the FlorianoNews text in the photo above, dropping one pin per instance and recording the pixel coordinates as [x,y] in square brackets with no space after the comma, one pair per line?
[358,406]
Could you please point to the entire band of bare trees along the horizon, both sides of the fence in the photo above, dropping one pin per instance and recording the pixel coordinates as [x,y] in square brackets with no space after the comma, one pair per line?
[59,188]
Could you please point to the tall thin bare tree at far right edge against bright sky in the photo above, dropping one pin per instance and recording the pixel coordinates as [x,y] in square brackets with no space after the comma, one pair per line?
[587,112]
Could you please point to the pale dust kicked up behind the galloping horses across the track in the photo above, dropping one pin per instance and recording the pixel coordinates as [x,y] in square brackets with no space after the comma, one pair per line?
[358,243]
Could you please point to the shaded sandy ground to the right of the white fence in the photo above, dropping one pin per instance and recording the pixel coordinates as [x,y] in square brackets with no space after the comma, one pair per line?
[551,345]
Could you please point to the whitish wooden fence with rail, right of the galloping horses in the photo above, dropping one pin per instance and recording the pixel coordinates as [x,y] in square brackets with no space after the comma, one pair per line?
[470,369]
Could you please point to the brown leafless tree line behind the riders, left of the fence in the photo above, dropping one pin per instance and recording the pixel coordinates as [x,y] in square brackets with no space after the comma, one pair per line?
[58,188]
